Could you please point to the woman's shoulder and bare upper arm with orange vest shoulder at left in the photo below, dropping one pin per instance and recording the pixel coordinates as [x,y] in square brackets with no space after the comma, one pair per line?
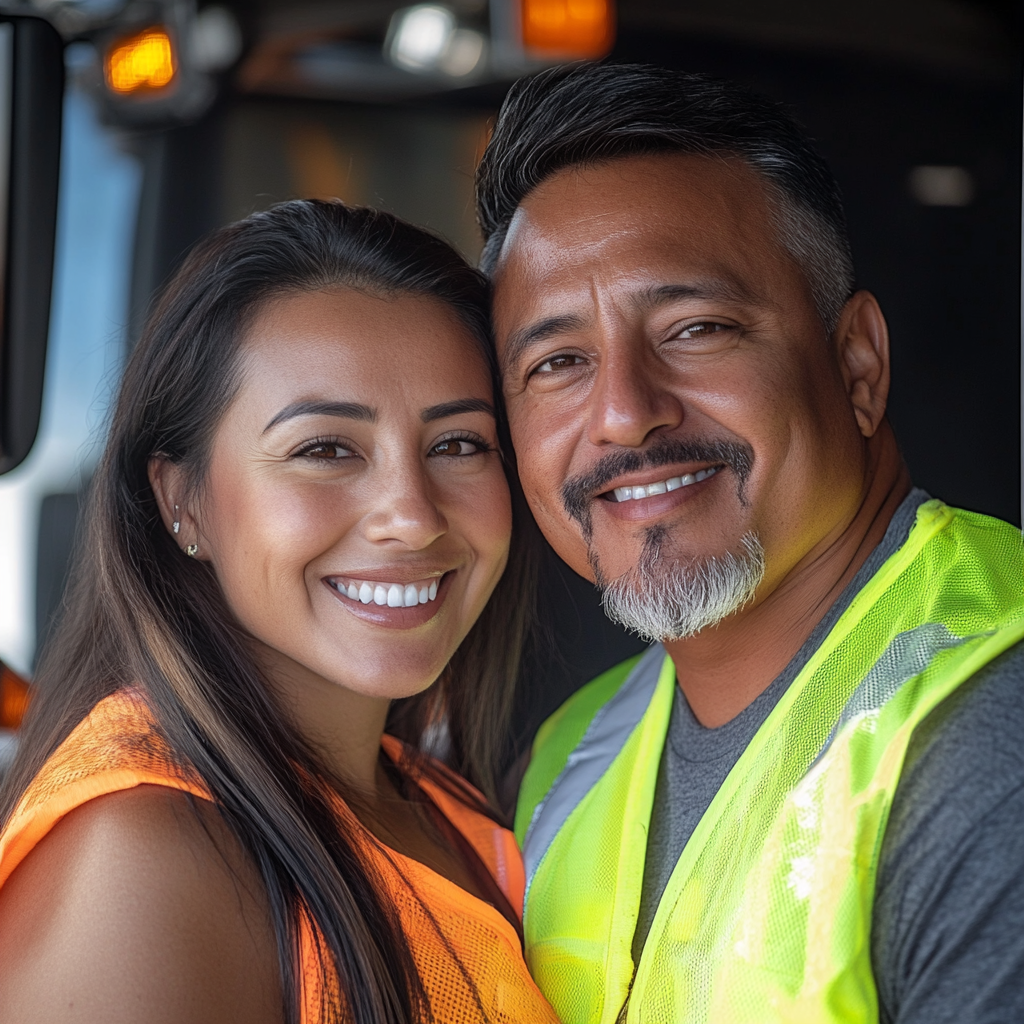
[118,890]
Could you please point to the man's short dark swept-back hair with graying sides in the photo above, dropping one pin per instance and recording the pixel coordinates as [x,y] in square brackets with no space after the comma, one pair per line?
[590,113]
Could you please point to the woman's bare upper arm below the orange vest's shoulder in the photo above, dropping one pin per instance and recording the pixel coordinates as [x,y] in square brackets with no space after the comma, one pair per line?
[134,910]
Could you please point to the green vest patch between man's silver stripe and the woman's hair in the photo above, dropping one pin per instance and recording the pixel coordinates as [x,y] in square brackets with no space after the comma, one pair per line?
[561,735]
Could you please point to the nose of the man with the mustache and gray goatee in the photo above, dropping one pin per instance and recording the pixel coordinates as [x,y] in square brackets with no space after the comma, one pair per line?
[632,396]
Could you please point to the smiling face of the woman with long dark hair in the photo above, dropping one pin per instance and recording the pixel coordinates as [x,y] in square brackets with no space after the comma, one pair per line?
[356,510]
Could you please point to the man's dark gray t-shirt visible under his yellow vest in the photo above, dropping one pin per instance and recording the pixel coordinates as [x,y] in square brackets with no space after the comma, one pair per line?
[948,941]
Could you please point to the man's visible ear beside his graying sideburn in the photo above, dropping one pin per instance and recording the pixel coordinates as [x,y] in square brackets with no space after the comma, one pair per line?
[862,342]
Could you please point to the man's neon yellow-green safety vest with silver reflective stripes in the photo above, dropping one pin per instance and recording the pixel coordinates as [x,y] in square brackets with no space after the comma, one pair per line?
[767,914]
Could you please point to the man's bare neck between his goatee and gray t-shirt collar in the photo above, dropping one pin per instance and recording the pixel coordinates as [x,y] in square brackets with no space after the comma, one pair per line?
[722,670]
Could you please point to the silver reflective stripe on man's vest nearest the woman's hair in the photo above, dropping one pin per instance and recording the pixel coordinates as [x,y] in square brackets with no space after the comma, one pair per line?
[605,738]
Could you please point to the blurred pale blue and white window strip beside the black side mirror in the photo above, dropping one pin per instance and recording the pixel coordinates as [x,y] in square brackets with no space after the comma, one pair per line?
[100,186]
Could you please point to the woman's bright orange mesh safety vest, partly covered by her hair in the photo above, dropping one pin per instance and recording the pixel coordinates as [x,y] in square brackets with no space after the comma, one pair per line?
[117,748]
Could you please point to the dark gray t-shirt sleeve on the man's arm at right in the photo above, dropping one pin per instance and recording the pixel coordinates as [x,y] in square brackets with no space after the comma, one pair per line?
[948,937]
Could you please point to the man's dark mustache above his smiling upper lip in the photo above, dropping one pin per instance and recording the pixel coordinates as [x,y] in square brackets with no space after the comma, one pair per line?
[580,491]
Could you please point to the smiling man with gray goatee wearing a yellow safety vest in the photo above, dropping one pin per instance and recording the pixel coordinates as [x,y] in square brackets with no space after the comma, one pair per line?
[806,803]
